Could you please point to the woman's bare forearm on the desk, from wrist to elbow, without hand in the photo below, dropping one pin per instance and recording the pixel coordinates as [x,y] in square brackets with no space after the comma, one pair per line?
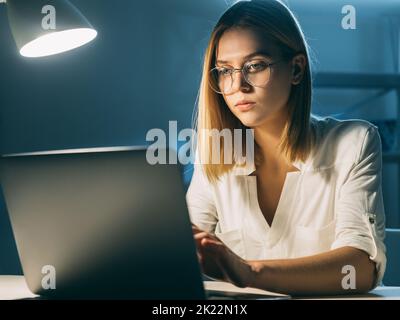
[318,274]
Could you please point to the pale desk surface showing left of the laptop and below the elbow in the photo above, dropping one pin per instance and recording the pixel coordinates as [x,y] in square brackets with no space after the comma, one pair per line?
[14,288]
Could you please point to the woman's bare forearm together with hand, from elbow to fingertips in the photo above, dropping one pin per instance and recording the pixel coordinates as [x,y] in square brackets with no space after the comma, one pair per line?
[312,275]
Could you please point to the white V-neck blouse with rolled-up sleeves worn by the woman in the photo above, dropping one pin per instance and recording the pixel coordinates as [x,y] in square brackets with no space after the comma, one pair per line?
[334,200]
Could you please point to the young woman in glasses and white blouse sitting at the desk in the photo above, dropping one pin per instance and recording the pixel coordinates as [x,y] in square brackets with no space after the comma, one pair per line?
[306,217]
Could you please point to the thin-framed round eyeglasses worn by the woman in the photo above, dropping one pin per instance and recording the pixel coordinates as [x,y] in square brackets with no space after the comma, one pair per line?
[256,73]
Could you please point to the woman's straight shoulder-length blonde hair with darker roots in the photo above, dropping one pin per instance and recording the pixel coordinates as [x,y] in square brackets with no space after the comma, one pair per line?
[272,19]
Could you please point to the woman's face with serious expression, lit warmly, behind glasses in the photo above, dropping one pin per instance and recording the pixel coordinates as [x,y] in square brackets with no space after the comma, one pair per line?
[252,105]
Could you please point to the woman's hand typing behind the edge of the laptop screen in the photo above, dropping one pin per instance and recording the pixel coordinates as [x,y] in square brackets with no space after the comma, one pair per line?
[218,261]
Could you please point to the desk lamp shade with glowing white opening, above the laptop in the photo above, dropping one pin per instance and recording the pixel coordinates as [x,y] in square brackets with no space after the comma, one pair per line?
[45,27]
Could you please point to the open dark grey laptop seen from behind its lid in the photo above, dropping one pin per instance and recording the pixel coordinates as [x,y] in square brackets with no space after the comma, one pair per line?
[102,223]
